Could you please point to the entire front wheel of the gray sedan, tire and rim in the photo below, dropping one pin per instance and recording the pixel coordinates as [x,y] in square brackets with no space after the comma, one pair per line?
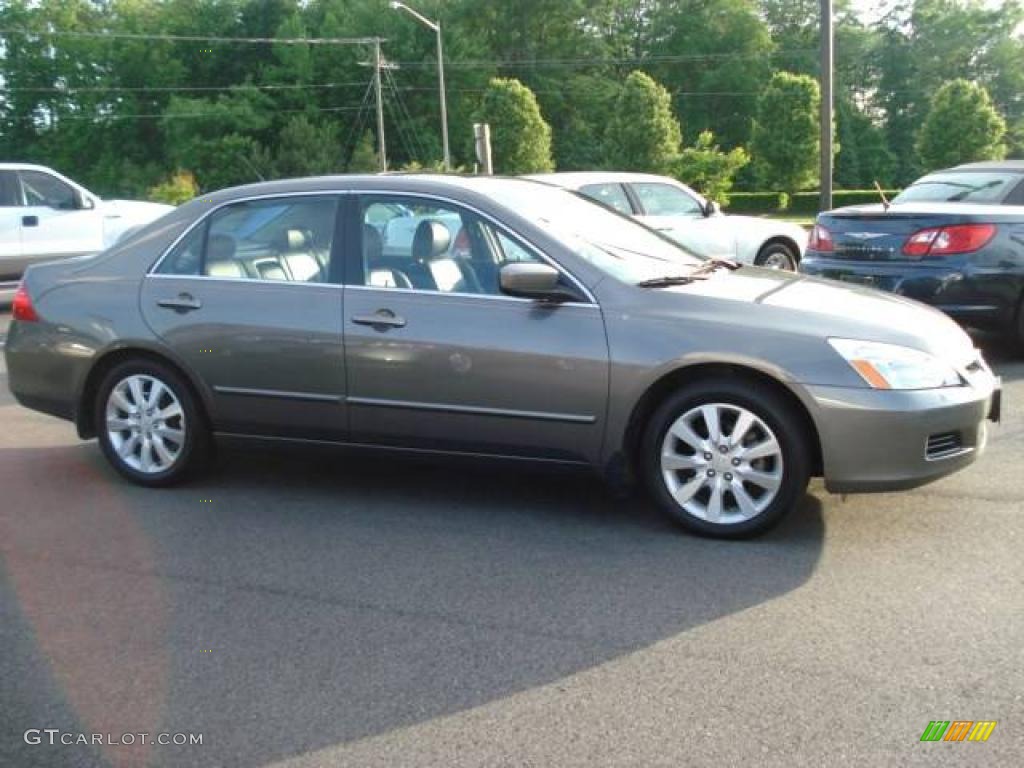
[727,459]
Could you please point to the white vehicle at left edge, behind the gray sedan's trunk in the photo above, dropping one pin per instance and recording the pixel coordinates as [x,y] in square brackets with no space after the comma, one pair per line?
[46,217]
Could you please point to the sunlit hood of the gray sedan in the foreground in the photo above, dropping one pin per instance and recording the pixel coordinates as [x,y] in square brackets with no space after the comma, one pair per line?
[778,302]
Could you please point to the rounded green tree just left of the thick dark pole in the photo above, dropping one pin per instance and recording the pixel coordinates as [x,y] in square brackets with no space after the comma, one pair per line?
[786,144]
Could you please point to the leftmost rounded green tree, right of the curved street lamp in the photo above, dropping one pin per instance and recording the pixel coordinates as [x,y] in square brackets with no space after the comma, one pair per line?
[521,140]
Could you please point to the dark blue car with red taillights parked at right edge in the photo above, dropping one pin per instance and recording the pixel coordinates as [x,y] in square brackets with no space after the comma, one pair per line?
[954,239]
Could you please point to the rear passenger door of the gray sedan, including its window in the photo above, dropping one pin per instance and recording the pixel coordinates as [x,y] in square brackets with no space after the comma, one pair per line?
[251,301]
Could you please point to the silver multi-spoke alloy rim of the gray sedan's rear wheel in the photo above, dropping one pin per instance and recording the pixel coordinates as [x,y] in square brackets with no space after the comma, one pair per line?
[146,424]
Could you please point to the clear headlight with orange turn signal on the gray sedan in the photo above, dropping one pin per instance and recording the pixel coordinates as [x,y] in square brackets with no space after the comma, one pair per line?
[894,367]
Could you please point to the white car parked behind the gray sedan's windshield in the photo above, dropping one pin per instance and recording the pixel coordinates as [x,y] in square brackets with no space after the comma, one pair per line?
[698,224]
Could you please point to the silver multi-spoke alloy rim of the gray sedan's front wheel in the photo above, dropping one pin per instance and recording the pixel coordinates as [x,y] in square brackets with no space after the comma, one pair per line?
[721,463]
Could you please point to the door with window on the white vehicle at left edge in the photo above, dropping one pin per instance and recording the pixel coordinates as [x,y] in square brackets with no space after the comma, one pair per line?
[53,226]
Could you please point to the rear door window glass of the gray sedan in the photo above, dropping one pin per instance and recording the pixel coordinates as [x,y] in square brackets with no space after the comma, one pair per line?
[287,239]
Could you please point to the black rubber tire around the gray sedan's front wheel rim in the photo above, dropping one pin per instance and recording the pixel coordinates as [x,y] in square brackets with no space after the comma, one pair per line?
[773,409]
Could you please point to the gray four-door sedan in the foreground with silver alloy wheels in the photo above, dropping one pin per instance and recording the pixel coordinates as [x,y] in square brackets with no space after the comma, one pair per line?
[563,332]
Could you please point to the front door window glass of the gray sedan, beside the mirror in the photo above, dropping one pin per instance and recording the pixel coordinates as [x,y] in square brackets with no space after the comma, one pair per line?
[418,244]
